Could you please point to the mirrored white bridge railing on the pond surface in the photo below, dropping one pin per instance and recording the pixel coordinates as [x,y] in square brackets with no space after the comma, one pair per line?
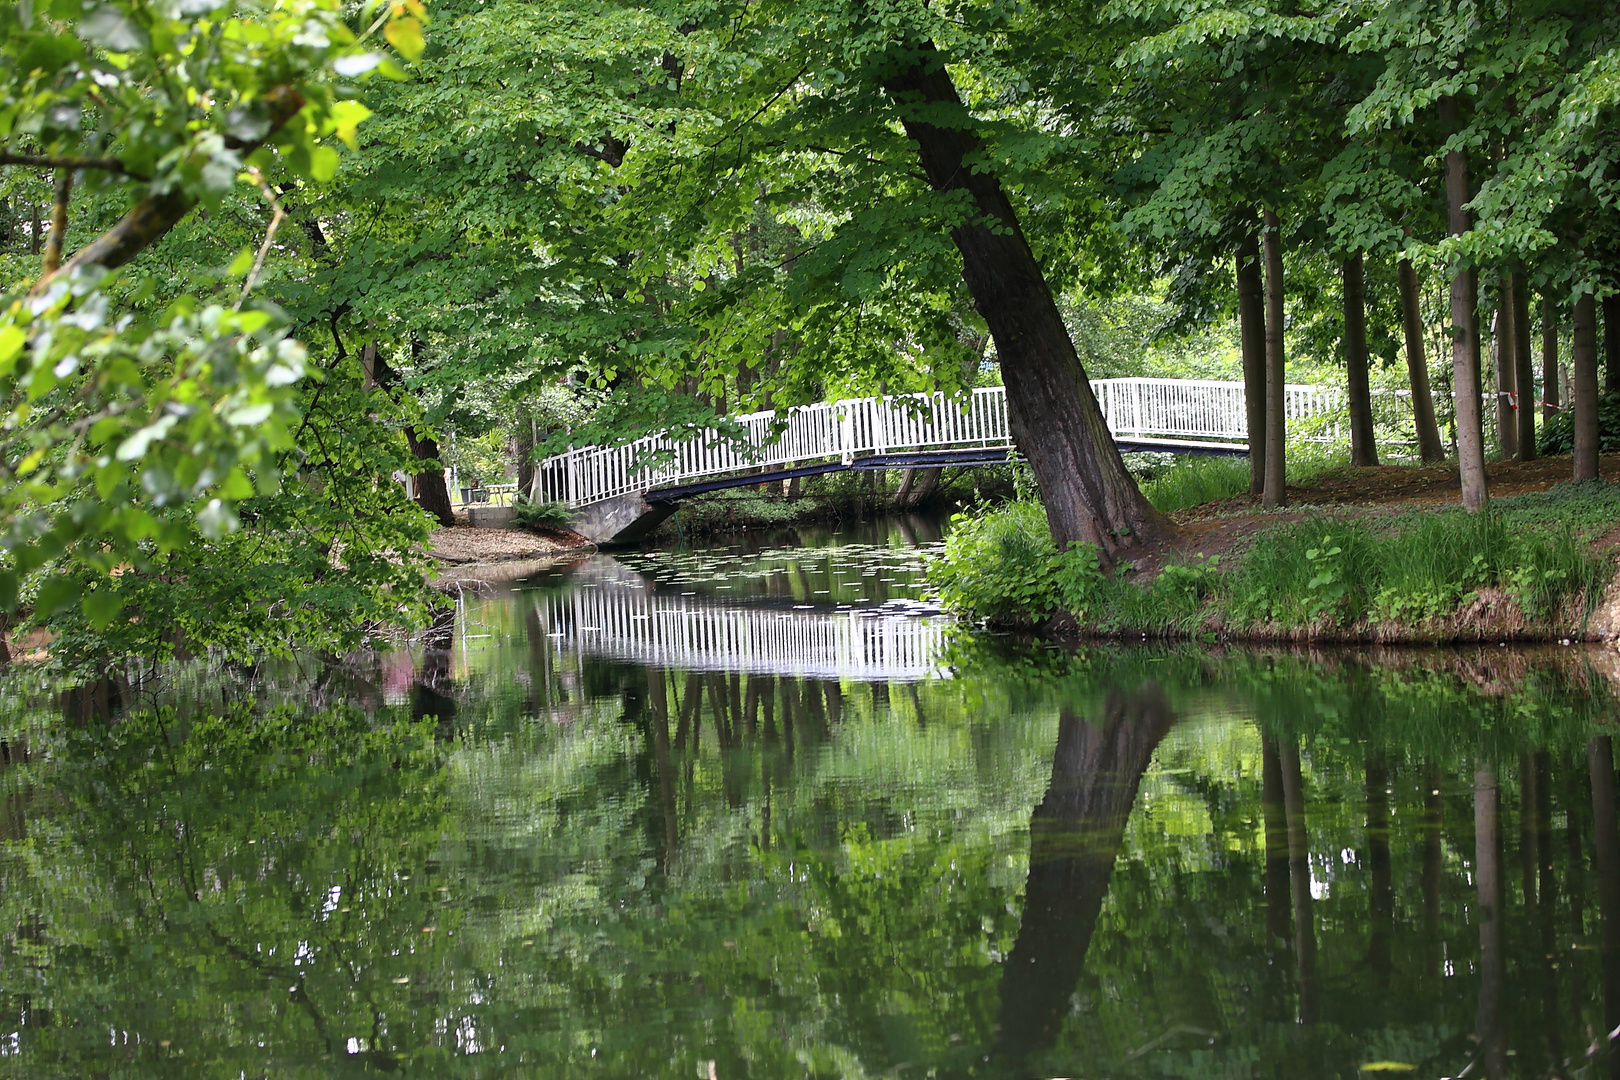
[613,613]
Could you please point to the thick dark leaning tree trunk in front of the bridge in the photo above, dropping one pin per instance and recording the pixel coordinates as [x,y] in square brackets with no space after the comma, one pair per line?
[1052,410]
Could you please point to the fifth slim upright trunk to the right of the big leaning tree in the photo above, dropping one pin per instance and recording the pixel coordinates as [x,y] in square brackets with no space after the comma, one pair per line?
[1465,331]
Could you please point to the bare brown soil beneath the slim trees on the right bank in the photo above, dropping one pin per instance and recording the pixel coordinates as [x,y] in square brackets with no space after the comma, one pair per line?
[1227,527]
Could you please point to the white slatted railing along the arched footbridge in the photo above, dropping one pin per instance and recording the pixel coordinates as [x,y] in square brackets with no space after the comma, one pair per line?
[1170,409]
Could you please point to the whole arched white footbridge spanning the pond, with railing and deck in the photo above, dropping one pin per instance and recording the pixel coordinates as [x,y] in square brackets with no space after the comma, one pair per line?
[625,491]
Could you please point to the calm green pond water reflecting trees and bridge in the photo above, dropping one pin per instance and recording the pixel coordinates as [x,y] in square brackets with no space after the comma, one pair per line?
[628,827]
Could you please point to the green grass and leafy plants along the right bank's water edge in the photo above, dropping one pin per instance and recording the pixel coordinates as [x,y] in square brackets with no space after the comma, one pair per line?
[1532,568]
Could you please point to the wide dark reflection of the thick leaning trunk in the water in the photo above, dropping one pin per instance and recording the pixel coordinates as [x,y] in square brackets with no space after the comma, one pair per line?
[1073,840]
